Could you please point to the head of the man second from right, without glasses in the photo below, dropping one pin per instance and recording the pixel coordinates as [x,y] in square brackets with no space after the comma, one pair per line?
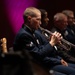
[60,21]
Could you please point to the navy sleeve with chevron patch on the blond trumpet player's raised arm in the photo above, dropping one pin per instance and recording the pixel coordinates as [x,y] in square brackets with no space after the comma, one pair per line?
[30,44]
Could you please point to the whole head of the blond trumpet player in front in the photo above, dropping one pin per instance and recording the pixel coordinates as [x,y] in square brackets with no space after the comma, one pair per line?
[32,17]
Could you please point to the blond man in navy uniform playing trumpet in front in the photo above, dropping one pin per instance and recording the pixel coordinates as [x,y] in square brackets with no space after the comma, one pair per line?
[44,53]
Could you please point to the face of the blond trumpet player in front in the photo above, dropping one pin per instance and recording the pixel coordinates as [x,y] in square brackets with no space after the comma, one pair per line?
[35,21]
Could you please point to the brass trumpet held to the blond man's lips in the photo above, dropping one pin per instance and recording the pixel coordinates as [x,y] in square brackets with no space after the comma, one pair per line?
[64,43]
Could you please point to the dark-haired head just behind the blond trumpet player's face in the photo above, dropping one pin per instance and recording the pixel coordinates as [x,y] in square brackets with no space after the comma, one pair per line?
[44,17]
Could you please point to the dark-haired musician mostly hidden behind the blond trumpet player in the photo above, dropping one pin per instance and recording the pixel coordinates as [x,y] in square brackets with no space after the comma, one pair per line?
[61,51]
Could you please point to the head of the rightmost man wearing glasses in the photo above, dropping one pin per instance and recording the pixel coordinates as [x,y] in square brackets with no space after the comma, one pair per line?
[70,16]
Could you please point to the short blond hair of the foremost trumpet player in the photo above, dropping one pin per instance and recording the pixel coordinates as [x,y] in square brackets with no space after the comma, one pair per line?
[30,11]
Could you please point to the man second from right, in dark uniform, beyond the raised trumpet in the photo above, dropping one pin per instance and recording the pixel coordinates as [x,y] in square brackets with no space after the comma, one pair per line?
[60,25]
